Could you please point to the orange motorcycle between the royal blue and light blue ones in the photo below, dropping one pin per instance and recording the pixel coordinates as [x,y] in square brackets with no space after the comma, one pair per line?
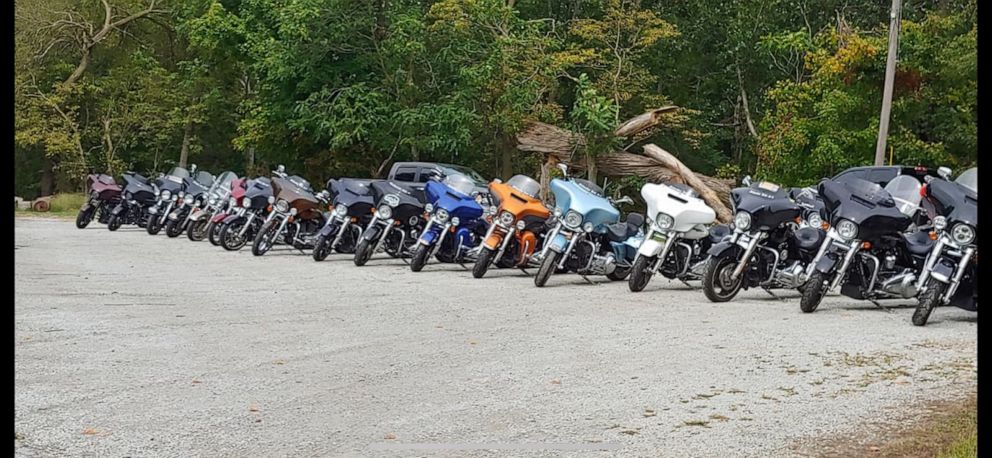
[518,220]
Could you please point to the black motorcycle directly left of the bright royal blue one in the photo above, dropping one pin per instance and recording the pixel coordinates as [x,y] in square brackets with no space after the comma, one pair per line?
[396,222]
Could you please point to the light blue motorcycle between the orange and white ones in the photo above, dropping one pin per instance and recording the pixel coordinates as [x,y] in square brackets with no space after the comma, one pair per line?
[588,237]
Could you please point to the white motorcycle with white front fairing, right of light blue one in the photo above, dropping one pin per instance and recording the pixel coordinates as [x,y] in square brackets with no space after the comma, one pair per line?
[678,237]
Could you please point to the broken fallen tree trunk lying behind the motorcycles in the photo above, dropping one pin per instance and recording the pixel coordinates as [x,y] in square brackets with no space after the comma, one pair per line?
[655,164]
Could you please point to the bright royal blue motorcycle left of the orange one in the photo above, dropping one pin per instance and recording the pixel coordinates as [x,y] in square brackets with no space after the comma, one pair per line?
[454,223]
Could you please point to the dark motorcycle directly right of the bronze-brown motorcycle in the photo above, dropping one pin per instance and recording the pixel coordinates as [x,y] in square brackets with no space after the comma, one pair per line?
[352,210]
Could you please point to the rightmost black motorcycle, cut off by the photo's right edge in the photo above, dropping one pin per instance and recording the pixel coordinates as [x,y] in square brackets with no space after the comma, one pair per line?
[950,272]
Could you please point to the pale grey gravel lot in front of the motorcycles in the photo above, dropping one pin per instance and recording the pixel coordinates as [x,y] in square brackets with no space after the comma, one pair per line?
[132,345]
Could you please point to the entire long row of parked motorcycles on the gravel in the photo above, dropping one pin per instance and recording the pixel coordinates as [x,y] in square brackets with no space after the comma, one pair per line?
[912,238]
